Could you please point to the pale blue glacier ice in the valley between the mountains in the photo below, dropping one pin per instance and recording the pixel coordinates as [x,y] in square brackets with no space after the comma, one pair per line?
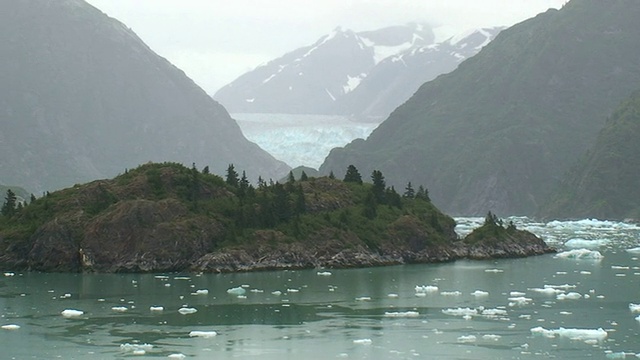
[301,139]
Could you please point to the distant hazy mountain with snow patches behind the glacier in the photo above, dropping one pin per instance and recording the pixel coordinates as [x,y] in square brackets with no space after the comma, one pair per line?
[347,73]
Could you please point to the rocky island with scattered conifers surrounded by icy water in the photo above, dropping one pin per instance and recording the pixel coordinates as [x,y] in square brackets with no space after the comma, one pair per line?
[167,217]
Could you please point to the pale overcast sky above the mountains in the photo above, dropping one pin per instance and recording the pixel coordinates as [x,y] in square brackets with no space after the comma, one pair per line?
[215,41]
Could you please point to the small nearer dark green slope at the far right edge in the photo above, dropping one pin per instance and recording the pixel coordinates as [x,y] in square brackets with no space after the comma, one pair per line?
[605,182]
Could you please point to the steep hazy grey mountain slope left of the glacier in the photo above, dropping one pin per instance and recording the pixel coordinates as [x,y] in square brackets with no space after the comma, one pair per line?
[82,97]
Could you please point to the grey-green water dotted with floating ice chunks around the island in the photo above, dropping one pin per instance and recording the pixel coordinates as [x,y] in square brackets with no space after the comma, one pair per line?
[400,312]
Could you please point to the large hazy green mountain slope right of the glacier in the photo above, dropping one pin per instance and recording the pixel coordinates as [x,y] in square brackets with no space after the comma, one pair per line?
[499,131]
